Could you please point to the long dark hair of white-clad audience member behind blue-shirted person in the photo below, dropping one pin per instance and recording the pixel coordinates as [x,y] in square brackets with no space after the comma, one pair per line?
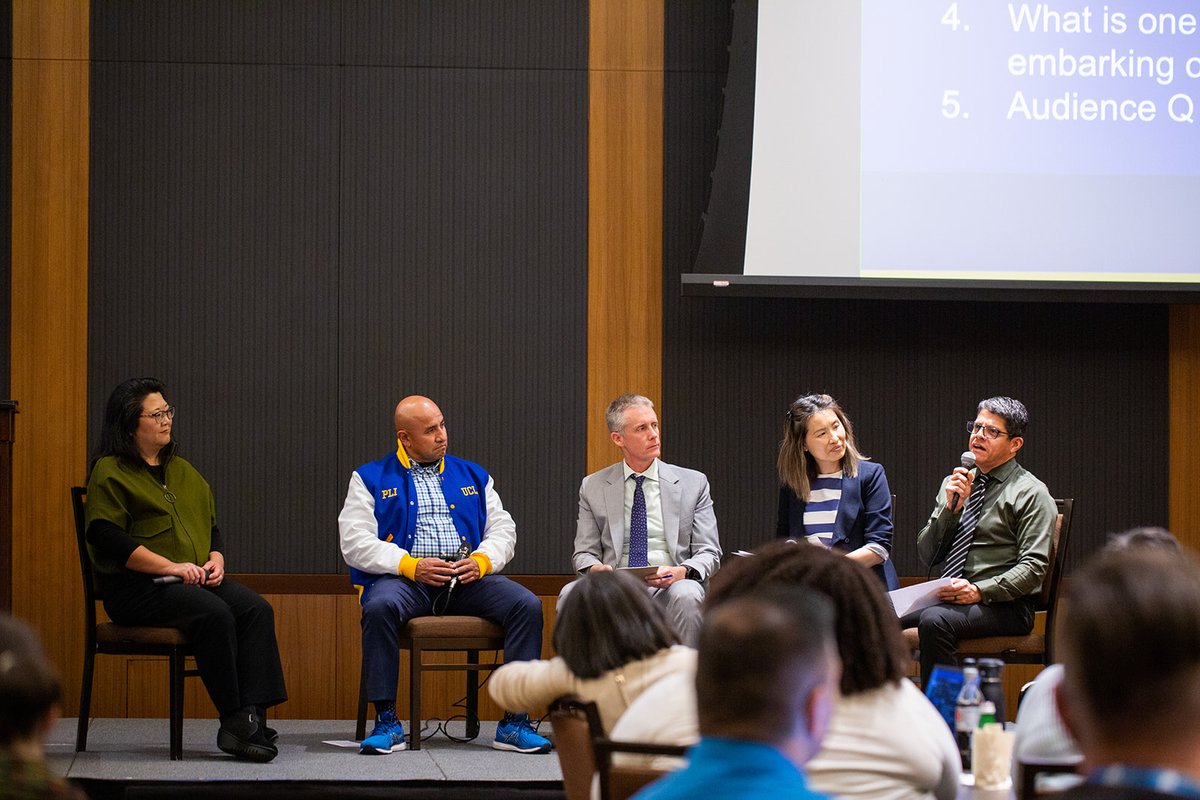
[869,641]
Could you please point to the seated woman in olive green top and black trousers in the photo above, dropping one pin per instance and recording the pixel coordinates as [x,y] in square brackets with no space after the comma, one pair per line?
[158,555]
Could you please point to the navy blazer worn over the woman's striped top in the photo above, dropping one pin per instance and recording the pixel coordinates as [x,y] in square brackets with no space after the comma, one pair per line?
[865,515]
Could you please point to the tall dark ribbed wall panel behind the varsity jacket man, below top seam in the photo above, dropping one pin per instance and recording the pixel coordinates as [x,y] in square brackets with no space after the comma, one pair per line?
[463,240]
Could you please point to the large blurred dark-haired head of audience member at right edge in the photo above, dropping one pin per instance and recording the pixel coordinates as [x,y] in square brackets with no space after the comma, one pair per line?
[1131,651]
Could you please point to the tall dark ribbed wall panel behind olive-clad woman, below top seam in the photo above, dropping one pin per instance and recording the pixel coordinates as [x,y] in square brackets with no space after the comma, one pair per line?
[214,267]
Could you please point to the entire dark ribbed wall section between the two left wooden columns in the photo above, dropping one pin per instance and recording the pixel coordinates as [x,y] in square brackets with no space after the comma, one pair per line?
[293,233]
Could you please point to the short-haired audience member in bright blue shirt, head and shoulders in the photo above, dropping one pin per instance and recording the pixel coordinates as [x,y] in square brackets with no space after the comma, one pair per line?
[766,681]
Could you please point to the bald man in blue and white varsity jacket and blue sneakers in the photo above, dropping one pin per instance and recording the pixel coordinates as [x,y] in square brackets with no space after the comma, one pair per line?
[427,533]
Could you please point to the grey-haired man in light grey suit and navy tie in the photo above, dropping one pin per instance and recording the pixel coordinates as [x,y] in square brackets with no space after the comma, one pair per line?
[645,513]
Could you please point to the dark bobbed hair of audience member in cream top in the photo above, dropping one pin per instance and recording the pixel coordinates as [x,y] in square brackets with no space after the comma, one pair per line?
[609,621]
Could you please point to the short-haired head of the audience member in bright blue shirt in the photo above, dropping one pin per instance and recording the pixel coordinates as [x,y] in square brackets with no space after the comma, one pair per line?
[767,670]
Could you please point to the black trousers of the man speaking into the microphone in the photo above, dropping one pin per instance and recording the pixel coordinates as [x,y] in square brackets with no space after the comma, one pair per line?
[941,627]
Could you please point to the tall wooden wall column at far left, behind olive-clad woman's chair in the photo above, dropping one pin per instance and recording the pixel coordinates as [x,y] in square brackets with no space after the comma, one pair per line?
[49,321]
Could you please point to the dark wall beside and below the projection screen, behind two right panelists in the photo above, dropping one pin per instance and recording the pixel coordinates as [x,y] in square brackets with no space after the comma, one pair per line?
[909,374]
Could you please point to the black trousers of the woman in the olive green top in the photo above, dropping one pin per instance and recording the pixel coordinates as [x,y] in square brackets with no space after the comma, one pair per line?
[232,630]
